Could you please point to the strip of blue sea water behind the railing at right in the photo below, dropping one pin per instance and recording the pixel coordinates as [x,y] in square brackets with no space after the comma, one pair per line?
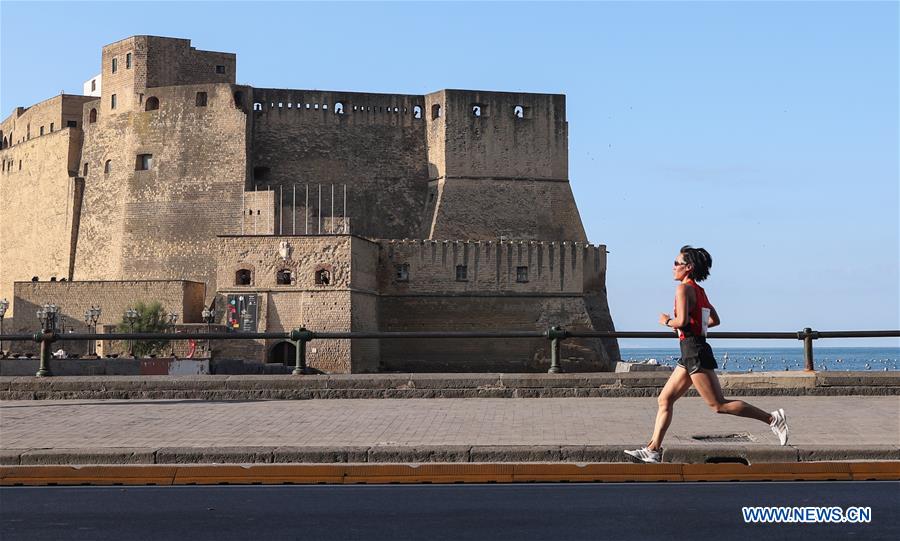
[777,359]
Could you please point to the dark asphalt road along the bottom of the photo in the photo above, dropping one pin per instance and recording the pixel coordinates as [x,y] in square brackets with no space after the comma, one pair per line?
[650,511]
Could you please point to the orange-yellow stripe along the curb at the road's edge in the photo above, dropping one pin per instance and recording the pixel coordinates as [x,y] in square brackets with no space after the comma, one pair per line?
[267,474]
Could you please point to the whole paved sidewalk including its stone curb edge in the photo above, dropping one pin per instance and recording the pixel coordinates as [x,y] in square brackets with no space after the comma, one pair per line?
[439,429]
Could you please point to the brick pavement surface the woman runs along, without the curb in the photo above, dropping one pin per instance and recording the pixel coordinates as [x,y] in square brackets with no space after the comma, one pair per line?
[78,424]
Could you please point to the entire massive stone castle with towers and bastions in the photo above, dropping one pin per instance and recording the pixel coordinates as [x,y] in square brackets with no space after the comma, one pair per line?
[282,208]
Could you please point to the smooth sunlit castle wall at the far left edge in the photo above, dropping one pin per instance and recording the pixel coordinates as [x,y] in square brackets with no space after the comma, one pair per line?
[39,203]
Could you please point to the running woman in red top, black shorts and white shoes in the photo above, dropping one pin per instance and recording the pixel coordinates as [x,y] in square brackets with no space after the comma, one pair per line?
[693,315]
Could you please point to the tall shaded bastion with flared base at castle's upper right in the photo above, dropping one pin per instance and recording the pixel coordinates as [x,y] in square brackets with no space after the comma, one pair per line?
[519,162]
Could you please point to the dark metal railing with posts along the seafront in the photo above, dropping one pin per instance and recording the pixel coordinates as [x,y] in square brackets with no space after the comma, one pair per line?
[300,337]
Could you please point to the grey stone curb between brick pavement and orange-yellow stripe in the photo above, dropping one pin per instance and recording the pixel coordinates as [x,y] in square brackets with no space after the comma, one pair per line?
[393,454]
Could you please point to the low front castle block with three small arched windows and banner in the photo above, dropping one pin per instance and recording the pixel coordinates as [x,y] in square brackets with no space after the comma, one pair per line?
[343,304]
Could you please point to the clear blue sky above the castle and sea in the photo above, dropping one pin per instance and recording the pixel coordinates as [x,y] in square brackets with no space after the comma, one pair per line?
[764,132]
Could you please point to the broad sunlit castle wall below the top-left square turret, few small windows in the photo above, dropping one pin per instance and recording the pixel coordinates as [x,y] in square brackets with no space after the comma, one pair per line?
[162,222]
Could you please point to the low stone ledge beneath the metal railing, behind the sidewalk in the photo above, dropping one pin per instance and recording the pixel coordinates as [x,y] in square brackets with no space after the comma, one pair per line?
[359,386]
